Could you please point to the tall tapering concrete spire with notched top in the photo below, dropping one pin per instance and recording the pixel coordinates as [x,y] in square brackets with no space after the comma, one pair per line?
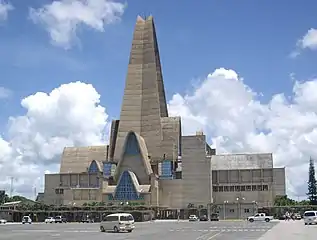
[144,101]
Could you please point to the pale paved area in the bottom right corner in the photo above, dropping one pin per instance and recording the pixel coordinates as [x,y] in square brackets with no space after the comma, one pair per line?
[292,230]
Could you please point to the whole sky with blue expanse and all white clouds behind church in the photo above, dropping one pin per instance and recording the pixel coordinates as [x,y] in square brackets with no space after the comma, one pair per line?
[270,44]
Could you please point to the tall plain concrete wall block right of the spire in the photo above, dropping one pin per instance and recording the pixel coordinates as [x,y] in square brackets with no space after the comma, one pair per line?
[196,171]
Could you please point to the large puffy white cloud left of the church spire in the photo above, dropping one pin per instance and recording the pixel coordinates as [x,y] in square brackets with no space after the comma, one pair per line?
[70,115]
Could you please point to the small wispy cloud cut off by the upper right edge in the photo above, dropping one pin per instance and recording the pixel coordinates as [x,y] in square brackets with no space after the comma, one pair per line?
[308,41]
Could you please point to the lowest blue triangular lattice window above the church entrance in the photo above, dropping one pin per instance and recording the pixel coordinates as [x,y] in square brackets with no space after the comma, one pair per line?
[125,190]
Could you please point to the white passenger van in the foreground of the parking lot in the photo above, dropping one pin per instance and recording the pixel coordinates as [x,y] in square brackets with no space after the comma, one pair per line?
[117,222]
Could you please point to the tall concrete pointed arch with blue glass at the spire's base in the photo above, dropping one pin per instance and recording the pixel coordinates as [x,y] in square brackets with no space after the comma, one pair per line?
[135,144]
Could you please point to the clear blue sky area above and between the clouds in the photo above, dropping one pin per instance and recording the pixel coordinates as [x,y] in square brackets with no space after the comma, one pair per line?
[253,37]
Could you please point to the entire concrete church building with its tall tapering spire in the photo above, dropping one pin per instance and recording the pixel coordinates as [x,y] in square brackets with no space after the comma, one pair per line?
[150,162]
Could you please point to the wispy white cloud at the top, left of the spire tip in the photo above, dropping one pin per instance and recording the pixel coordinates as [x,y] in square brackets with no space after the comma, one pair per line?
[63,18]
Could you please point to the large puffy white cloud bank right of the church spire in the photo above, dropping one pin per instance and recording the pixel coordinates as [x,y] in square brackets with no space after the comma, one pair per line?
[234,118]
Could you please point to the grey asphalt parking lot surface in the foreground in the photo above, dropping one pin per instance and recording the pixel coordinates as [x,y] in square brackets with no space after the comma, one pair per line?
[223,230]
